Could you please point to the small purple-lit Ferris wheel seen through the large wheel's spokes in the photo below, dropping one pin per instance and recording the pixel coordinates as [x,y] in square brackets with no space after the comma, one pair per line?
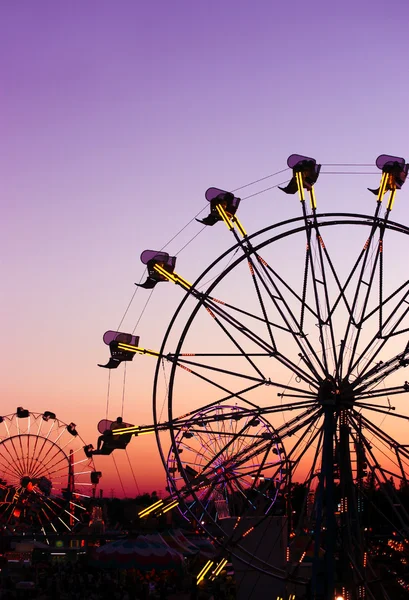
[234,458]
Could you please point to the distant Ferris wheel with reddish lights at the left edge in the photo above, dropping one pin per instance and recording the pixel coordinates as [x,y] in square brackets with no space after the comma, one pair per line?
[44,476]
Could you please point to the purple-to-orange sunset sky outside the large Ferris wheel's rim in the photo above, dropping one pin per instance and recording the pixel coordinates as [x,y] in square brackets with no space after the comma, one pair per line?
[115,118]
